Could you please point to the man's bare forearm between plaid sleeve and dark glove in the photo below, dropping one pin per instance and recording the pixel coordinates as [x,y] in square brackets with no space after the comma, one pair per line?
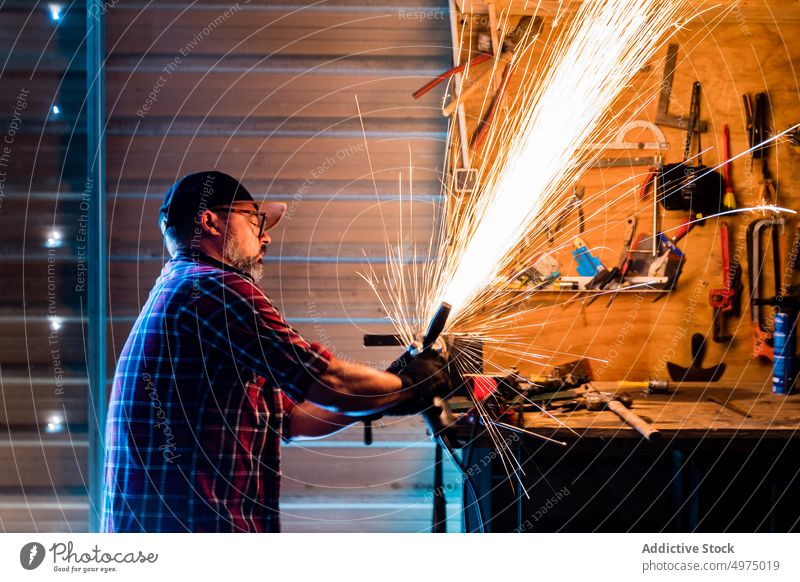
[346,387]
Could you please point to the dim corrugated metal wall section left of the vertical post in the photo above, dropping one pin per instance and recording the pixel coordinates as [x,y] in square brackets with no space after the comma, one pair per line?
[42,176]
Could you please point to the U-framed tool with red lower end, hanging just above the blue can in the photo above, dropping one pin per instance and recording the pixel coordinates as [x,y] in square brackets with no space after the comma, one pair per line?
[762,338]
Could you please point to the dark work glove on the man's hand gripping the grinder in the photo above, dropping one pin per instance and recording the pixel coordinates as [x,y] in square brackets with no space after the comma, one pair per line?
[426,376]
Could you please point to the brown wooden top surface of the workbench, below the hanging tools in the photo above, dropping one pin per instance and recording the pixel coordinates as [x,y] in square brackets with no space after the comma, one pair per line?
[688,412]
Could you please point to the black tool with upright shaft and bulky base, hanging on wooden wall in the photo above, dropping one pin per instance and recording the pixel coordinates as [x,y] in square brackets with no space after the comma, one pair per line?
[692,187]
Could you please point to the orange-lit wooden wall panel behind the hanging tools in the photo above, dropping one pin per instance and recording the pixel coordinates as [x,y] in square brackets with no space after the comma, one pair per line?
[747,50]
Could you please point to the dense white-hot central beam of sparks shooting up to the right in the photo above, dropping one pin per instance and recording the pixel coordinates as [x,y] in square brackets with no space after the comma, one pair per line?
[595,58]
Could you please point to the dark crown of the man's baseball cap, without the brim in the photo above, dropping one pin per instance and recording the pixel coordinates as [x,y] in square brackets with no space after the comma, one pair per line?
[200,191]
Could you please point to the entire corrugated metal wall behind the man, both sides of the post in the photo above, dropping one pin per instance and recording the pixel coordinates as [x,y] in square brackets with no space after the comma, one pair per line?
[262,91]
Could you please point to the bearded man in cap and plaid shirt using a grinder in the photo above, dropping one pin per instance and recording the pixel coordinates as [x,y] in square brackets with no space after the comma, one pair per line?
[212,379]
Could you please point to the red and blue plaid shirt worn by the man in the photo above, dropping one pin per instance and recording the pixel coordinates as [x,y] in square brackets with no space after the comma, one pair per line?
[197,407]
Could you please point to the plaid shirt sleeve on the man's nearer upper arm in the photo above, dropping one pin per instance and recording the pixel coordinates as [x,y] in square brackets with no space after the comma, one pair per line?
[242,324]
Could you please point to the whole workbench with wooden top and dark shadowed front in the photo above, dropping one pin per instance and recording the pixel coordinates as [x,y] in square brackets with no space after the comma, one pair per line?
[713,469]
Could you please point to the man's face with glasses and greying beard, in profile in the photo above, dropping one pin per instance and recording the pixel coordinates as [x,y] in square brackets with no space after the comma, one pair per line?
[242,247]
